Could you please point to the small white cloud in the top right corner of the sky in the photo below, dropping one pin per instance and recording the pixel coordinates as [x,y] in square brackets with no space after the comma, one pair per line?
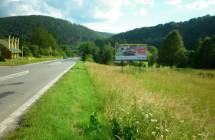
[200,4]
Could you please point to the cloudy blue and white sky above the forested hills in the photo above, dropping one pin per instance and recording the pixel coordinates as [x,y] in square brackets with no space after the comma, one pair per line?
[111,15]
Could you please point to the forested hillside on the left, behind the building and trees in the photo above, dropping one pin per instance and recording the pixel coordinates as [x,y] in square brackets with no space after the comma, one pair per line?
[64,31]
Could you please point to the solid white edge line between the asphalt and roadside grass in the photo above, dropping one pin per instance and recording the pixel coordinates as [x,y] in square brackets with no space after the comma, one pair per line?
[9,123]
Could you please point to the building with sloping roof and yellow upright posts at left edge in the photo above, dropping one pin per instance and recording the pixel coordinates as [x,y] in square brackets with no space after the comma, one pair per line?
[9,49]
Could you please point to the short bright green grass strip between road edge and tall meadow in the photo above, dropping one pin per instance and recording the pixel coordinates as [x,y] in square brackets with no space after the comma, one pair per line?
[63,112]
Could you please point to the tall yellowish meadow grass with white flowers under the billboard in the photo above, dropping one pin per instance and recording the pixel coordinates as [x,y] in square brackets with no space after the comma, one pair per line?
[181,103]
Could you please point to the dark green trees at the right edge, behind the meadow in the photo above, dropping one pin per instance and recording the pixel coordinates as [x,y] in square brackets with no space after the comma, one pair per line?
[172,52]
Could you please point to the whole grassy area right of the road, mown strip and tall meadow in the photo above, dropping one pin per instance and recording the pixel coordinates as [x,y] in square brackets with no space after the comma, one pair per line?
[95,101]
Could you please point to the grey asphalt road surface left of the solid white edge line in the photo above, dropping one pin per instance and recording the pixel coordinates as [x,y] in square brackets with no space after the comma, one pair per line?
[18,84]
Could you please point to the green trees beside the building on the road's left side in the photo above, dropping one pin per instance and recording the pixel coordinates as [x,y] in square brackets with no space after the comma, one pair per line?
[43,43]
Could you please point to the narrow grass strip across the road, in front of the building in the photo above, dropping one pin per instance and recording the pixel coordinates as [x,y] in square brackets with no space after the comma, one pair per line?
[25,60]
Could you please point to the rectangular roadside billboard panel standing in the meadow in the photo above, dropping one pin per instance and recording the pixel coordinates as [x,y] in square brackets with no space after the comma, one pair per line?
[131,52]
